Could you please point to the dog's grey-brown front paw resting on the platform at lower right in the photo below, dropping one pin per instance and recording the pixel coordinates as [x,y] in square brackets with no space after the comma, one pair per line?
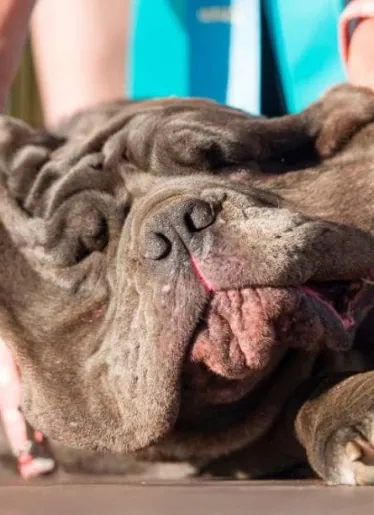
[336,427]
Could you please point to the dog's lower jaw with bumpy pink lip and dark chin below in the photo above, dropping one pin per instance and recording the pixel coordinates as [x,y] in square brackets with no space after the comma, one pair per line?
[247,332]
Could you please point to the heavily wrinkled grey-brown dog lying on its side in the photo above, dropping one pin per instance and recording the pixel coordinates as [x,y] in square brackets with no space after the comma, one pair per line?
[188,290]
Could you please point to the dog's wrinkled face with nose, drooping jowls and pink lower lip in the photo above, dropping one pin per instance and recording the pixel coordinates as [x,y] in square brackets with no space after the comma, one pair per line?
[158,304]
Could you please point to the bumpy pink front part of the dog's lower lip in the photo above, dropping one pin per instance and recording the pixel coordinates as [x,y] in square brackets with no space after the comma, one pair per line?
[239,335]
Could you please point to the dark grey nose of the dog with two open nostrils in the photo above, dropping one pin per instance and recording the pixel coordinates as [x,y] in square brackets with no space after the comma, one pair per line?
[176,223]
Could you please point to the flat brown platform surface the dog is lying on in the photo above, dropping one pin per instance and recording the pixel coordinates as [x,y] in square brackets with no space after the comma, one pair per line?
[108,497]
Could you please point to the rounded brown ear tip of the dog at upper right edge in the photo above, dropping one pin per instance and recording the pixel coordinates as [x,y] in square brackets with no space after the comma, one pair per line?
[339,115]
